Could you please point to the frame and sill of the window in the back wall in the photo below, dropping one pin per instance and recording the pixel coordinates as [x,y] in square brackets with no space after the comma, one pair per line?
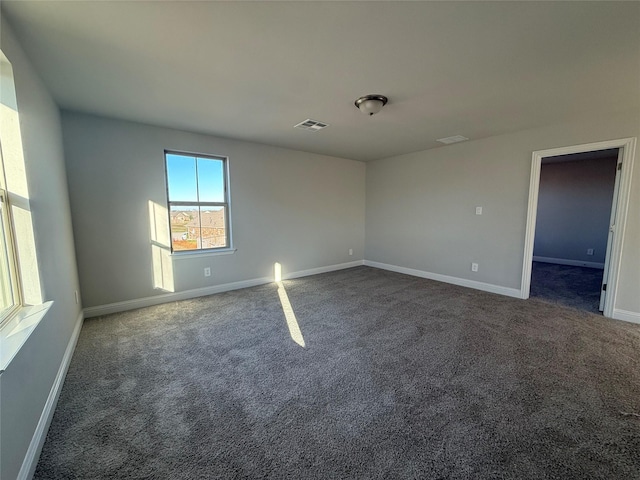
[226,205]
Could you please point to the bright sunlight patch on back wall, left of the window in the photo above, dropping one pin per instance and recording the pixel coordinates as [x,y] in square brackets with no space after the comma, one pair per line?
[159,235]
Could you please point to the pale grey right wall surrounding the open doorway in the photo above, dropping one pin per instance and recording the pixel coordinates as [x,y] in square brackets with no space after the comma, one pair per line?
[421,206]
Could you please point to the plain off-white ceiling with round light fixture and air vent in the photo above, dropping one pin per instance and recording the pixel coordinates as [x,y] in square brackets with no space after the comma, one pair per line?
[252,71]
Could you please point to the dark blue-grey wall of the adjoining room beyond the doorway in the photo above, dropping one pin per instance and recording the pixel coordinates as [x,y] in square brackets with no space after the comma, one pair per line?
[574,207]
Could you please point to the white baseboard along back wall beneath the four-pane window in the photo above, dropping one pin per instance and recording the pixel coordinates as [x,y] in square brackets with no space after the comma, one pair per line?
[201,292]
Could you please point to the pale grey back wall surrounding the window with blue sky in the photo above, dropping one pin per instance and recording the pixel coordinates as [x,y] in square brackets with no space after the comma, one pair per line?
[300,209]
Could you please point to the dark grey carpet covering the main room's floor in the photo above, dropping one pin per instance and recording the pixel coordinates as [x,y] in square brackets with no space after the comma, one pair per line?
[400,378]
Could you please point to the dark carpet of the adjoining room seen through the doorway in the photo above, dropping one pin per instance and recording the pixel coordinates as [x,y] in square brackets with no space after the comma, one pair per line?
[577,287]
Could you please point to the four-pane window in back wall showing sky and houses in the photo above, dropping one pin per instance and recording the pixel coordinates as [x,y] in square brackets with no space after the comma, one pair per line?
[198,198]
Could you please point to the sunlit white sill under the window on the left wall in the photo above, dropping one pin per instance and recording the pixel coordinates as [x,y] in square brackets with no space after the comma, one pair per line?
[15,333]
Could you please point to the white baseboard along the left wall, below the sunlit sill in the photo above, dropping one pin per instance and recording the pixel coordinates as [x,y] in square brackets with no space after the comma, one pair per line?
[37,441]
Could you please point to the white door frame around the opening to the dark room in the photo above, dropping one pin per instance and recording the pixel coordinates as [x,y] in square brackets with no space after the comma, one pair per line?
[617,219]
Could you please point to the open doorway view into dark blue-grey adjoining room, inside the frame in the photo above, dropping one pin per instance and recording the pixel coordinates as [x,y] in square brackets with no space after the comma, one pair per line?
[575,197]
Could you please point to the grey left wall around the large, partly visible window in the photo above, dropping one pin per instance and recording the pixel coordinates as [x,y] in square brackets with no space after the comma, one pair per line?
[27,381]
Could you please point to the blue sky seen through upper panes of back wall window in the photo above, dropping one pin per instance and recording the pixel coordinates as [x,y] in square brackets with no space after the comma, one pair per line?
[185,187]
